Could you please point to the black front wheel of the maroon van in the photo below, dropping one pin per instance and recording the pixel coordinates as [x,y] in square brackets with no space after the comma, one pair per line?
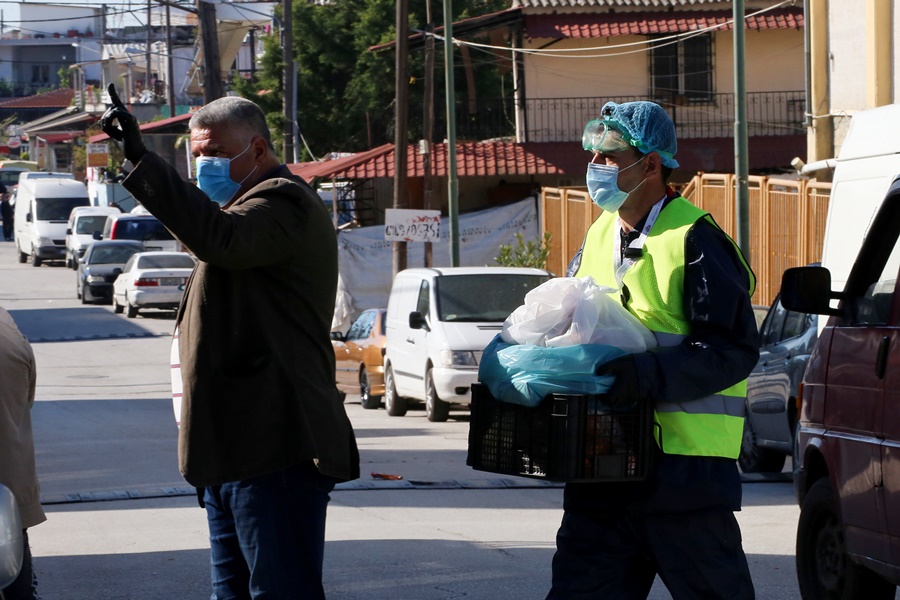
[824,570]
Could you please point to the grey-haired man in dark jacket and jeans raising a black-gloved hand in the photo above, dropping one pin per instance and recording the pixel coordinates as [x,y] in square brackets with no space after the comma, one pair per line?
[263,433]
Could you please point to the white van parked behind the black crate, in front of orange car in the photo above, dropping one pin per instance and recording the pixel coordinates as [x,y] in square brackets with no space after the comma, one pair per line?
[438,323]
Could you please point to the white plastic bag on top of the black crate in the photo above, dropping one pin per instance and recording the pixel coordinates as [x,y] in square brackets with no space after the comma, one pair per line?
[567,311]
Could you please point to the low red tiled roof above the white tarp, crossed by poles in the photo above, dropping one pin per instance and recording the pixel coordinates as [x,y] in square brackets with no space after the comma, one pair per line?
[472,159]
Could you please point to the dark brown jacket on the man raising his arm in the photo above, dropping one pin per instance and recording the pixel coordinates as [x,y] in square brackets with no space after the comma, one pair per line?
[256,357]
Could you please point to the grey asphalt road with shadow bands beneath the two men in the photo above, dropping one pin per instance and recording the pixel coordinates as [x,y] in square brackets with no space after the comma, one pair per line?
[123,524]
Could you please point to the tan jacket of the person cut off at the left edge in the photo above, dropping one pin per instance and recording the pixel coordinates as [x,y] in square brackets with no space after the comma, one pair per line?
[17,382]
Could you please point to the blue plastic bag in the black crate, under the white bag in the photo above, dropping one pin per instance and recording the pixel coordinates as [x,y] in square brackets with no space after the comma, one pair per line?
[524,374]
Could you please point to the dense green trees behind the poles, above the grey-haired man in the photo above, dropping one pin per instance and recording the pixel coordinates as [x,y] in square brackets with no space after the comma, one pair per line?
[345,92]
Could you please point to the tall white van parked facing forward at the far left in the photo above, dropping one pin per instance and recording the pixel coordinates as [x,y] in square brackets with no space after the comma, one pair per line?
[42,212]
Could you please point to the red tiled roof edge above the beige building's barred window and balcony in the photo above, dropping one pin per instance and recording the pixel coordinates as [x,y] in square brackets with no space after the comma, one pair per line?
[594,25]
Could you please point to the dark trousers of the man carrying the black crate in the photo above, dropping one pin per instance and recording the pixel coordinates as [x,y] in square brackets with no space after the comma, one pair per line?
[616,555]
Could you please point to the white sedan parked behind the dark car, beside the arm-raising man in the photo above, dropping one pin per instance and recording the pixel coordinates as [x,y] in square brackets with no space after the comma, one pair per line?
[152,280]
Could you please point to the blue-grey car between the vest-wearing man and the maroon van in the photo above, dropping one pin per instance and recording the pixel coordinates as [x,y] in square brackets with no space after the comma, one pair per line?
[786,341]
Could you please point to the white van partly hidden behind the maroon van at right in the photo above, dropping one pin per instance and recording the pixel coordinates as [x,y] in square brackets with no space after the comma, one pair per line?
[868,162]
